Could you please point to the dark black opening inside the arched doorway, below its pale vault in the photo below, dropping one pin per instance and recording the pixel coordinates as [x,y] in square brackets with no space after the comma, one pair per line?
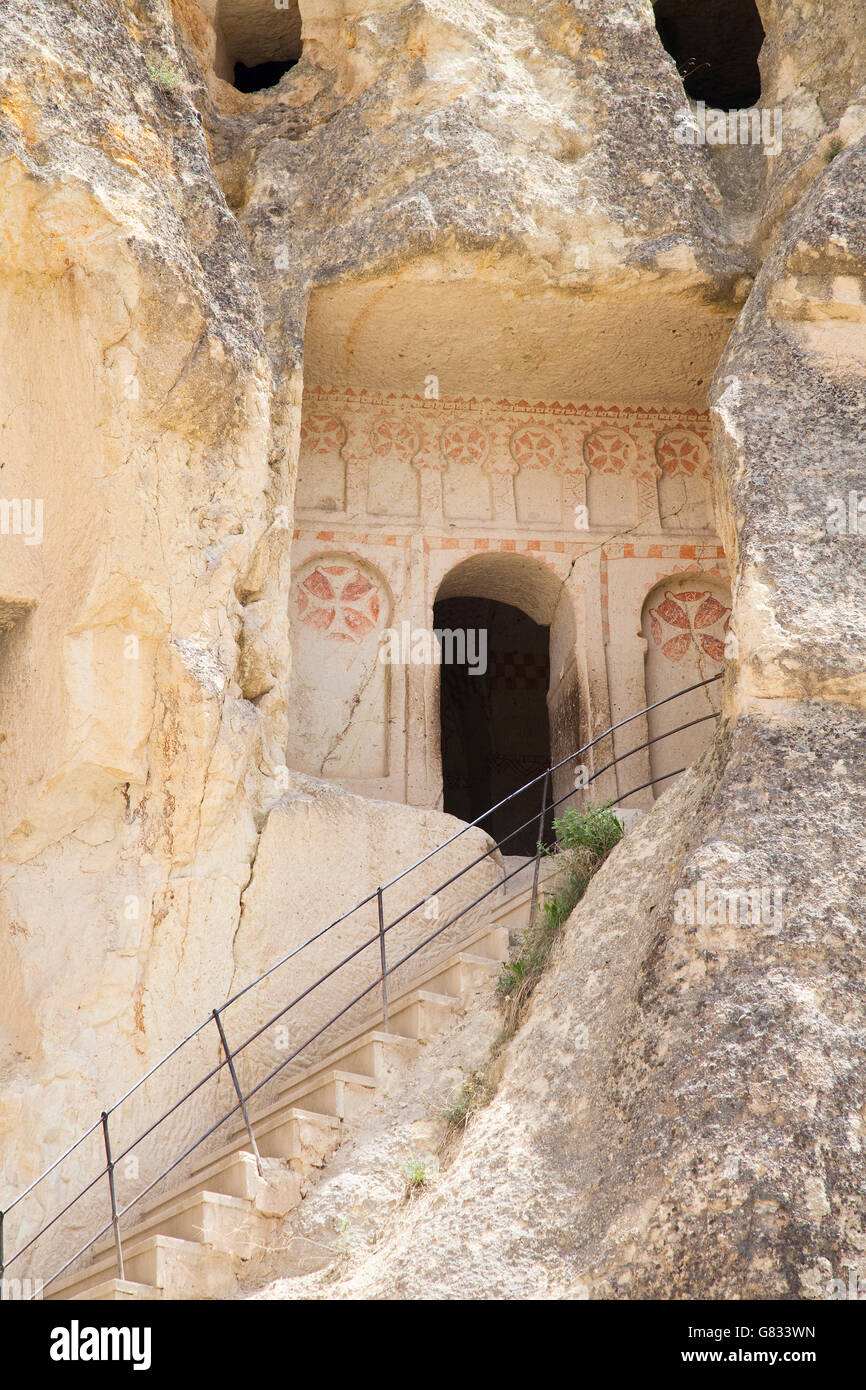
[494,723]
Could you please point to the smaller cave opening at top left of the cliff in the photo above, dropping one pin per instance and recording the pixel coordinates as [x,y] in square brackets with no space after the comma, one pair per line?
[258,42]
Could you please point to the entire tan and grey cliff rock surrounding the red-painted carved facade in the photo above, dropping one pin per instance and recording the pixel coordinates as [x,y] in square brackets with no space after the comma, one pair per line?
[685,1111]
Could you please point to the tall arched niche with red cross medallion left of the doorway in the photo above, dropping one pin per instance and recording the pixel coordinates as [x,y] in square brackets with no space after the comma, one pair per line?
[338,701]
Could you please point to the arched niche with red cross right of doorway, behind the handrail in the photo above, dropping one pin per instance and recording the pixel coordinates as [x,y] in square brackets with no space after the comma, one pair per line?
[685,623]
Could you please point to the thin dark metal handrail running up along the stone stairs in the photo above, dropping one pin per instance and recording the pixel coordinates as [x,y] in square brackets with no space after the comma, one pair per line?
[379,982]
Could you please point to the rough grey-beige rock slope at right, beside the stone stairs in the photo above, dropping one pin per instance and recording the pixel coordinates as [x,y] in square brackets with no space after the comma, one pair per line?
[682,1115]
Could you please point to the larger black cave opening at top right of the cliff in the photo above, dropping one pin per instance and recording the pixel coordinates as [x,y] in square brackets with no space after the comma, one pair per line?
[715,45]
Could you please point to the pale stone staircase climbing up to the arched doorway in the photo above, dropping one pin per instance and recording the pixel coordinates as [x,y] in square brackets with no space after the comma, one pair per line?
[193,1243]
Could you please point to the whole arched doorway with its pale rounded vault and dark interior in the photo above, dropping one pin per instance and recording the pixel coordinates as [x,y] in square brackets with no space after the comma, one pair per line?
[504,717]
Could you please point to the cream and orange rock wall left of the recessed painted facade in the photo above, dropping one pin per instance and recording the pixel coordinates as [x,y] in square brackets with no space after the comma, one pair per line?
[136,390]
